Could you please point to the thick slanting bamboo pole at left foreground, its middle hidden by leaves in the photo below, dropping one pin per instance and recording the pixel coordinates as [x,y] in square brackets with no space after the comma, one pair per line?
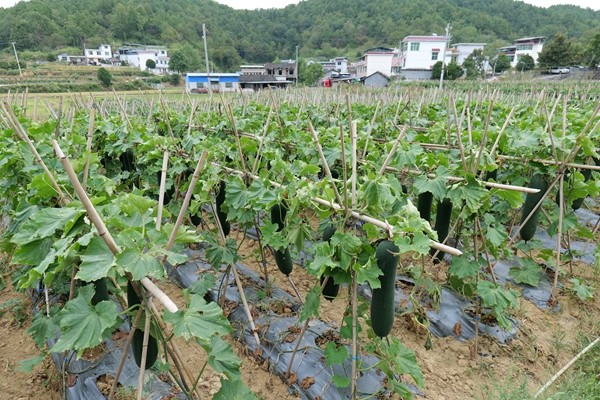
[101,227]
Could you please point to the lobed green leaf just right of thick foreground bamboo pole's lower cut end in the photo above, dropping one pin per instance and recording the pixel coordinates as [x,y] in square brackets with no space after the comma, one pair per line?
[201,320]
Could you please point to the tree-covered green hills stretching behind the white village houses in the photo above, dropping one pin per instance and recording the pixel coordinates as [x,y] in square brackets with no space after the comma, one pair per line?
[320,28]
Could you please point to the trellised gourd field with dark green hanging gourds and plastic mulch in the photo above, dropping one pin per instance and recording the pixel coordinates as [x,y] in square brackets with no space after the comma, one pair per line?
[348,242]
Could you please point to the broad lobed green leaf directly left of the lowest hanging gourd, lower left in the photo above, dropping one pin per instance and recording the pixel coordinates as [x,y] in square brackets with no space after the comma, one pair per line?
[82,325]
